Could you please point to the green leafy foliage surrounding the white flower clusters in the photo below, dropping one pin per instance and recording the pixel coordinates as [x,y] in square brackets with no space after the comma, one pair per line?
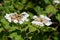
[28,31]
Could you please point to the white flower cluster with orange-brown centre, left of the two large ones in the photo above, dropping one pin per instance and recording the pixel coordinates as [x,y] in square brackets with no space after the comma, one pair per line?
[17,18]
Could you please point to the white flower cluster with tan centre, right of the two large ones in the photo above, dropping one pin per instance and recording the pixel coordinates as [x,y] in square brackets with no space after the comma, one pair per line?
[42,20]
